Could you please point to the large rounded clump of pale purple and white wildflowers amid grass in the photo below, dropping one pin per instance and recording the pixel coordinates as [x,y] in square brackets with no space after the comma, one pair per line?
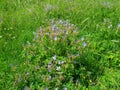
[54,54]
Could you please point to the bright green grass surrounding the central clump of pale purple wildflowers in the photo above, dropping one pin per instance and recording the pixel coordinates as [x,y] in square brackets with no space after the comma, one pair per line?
[20,18]
